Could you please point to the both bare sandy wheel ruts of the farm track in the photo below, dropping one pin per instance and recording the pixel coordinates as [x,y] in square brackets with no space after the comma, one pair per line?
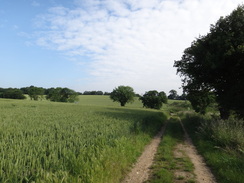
[141,170]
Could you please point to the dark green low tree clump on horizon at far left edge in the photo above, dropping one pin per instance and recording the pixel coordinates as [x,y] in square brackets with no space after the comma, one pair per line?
[11,93]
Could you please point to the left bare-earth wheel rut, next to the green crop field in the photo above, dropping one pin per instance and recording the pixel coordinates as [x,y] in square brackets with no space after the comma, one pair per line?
[140,171]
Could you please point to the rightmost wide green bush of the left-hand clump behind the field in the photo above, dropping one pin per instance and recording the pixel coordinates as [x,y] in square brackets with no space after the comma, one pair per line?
[62,95]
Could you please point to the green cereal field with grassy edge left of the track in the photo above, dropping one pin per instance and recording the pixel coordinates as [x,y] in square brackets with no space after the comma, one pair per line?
[90,141]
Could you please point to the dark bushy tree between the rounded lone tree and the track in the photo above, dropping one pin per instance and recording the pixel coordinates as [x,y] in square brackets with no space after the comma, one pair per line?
[153,99]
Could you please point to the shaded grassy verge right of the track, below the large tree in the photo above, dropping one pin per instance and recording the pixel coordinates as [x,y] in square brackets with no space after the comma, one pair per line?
[227,163]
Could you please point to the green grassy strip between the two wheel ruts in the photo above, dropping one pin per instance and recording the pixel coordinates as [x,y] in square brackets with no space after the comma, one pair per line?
[166,163]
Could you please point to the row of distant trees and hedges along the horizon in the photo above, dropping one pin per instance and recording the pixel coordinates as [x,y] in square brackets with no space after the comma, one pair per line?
[151,99]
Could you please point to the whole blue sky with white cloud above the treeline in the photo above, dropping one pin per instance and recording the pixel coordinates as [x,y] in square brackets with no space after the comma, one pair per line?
[90,45]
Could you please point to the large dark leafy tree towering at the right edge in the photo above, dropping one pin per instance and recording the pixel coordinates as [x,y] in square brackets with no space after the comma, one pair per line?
[215,63]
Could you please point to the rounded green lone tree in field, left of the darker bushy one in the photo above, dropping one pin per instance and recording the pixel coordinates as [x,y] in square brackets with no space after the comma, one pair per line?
[123,95]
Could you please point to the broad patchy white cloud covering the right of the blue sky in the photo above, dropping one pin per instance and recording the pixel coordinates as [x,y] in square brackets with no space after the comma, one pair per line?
[130,42]
